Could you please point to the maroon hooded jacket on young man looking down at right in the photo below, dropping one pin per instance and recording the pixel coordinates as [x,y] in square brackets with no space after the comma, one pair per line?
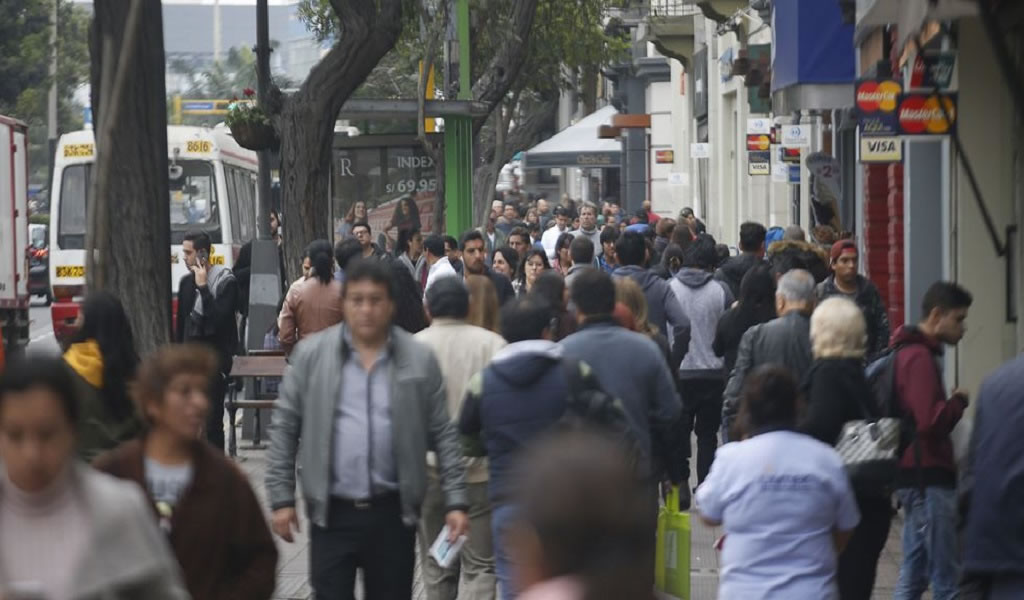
[922,394]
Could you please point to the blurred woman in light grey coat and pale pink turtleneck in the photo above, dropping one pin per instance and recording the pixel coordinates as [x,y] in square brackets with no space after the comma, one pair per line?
[69,532]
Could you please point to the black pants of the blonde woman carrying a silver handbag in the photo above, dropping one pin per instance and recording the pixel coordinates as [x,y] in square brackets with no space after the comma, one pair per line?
[860,562]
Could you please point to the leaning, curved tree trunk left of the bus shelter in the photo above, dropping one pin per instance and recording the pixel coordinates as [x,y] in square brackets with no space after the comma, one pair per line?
[368,31]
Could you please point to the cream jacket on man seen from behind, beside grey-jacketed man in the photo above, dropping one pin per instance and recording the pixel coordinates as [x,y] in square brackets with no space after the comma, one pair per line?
[462,351]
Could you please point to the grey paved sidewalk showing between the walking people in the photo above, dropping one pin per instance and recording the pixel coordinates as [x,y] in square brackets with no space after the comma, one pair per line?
[294,565]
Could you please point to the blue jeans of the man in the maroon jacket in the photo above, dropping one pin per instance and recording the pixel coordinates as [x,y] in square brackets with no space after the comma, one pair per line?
[930,552]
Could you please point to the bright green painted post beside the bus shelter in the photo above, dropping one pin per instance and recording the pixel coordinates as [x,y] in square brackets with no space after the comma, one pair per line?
[459,141]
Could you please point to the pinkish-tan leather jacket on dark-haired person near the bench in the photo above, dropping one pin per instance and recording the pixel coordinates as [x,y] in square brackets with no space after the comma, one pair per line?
[310,308]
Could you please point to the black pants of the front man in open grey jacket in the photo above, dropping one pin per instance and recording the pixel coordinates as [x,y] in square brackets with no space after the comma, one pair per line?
[373,539]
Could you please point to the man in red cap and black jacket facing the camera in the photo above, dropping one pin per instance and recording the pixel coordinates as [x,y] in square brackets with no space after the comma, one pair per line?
[847,283]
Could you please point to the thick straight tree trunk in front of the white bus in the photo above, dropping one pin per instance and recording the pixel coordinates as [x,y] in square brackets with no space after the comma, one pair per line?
[134,234]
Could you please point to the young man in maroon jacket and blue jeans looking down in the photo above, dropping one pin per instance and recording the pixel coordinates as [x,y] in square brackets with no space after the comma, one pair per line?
[927,480]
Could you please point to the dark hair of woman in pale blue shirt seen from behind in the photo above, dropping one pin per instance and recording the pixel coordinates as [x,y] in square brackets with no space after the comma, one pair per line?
[770,399]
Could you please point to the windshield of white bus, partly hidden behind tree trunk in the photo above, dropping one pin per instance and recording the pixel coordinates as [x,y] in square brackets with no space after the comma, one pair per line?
[193,202]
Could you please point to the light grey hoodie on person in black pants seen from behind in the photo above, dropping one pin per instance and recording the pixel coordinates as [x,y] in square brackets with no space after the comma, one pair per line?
[705,301]
